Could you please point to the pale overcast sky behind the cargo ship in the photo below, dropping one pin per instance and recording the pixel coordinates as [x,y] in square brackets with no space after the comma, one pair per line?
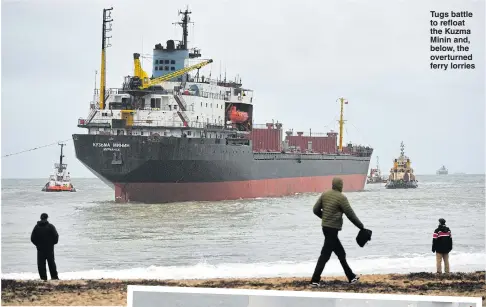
[298,57]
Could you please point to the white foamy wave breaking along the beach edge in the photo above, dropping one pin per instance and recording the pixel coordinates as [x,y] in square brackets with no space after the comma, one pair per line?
[460,262]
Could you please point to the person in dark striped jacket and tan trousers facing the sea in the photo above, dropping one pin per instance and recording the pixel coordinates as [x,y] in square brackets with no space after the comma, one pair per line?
[442,245]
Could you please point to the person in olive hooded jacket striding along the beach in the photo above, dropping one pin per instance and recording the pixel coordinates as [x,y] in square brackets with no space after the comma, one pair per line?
[330,208]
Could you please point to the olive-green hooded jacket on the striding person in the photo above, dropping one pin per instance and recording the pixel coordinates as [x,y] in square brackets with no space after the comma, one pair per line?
[332,204]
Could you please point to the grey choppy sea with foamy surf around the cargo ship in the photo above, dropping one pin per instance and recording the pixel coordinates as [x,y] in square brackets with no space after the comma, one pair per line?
[265,237]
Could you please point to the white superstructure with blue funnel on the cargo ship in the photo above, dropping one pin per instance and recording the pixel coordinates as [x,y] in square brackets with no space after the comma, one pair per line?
[186,106]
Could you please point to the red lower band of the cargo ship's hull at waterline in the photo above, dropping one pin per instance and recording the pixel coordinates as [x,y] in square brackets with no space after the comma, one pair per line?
[230,190]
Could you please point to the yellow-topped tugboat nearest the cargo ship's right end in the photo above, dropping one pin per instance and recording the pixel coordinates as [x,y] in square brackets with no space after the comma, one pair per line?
[401,174]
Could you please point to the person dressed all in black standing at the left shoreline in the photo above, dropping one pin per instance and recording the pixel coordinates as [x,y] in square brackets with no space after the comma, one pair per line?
[44,237]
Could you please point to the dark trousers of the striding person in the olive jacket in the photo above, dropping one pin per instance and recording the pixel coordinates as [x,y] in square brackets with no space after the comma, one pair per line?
[331,244]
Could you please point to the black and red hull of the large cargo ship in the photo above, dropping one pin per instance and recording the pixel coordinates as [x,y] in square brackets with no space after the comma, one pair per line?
[168,169]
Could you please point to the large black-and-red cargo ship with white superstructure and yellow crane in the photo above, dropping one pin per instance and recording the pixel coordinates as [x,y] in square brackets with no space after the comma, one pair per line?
[178,136]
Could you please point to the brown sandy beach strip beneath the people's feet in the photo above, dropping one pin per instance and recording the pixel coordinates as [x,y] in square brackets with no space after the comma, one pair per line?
[113,292]
